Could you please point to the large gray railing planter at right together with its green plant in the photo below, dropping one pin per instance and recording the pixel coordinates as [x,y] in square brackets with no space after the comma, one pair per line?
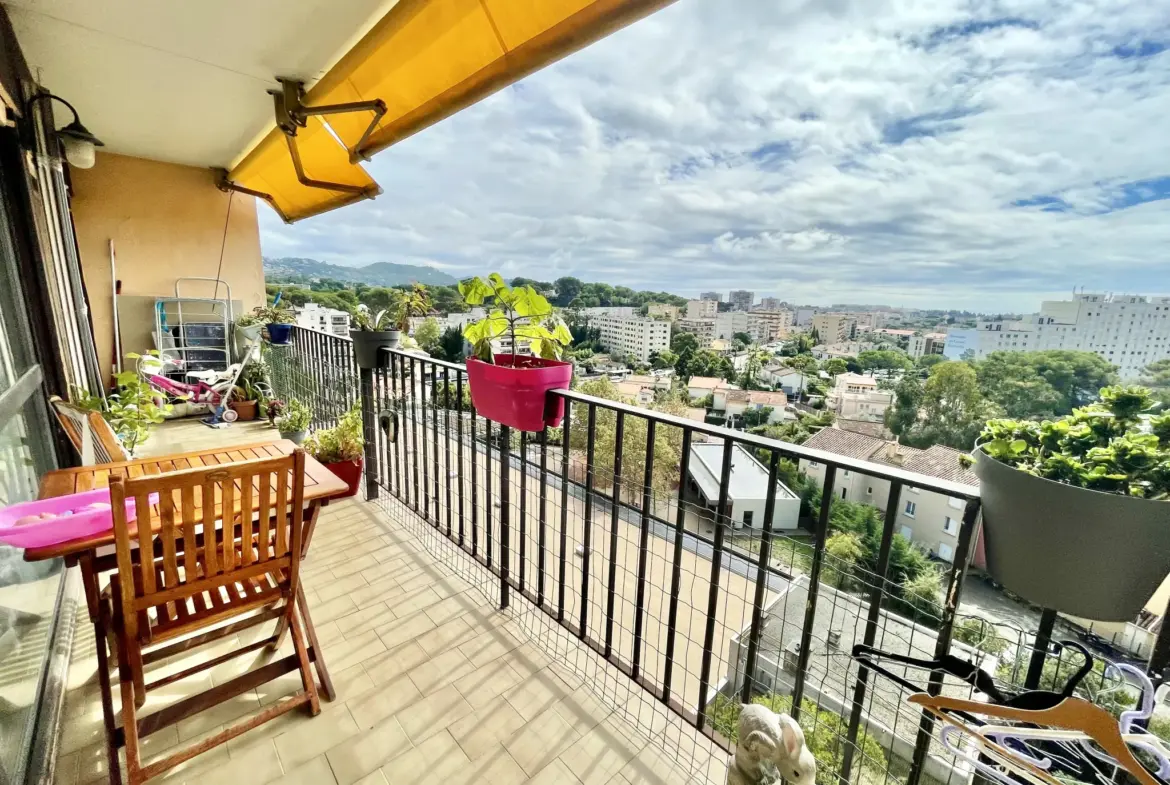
[1077,511]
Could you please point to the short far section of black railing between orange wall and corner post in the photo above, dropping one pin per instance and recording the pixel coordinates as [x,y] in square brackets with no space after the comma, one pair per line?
[318,369]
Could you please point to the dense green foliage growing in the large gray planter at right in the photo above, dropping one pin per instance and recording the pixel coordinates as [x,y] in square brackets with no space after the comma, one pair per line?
[1117,445]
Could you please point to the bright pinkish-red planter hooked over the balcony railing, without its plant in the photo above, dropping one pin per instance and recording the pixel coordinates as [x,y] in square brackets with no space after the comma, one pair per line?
[518,397]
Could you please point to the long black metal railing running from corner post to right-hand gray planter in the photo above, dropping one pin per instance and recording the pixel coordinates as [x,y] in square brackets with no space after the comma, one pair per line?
[600,528]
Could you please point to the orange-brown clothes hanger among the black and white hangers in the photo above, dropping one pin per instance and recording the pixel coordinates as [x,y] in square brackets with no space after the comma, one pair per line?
[1071,714]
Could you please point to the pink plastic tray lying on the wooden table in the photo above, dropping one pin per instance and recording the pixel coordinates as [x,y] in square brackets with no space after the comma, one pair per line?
[66,527]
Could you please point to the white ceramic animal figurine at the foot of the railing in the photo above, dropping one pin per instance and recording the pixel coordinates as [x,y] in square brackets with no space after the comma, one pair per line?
[770,740]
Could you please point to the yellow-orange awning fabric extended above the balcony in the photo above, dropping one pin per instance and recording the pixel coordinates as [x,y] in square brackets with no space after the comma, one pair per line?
[426,60]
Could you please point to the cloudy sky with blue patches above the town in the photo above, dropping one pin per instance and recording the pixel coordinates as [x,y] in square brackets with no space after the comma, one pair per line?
[935,154]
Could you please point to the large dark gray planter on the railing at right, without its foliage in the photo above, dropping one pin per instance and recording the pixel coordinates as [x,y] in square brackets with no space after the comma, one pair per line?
[1084,553]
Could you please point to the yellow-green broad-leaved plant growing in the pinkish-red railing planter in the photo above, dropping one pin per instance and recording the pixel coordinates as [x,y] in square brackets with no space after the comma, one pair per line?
[521,312]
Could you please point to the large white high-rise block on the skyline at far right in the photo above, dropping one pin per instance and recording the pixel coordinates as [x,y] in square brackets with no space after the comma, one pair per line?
[1130,332]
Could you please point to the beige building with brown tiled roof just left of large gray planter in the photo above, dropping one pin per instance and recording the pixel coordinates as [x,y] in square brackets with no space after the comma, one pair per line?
[925,518]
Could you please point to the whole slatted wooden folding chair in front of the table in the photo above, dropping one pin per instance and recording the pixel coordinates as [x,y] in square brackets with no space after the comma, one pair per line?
[188,575]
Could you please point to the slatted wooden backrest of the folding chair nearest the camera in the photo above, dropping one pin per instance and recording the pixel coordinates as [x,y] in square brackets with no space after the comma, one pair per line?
[229,497]
